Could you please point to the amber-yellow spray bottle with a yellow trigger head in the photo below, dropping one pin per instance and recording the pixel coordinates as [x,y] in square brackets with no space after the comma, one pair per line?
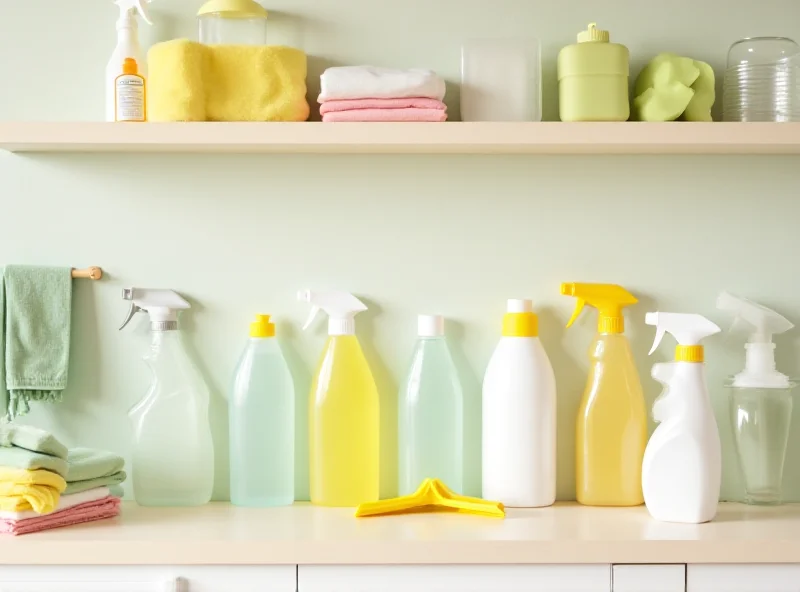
[611,432]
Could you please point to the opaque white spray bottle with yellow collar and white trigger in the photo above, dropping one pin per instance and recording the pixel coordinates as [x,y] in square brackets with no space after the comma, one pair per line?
[682,468]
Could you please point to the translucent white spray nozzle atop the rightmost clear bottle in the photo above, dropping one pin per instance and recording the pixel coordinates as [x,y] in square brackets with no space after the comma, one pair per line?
[759,370]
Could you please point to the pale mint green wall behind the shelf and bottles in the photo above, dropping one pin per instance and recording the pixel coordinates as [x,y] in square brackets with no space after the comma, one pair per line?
[456,235]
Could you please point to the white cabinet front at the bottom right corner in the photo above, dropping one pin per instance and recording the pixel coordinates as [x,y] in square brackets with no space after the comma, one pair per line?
[743,578]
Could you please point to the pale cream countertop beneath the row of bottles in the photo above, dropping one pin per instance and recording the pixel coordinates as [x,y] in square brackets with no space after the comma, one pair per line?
[221,534]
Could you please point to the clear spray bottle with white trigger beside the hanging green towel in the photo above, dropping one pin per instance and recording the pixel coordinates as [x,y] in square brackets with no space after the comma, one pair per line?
[173,454]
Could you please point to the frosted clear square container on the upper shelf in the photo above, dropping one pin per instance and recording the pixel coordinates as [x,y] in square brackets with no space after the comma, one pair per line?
[501,80]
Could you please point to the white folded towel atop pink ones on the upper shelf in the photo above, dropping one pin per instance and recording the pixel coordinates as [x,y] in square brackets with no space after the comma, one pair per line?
[368,82]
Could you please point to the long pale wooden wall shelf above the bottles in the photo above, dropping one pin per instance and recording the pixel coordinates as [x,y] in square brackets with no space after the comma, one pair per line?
[405,138]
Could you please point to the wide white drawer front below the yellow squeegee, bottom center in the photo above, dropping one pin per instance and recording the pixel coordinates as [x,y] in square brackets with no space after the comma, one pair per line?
[455,578]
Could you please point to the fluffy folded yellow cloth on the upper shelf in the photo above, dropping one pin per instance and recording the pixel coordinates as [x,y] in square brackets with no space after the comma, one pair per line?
[193,82]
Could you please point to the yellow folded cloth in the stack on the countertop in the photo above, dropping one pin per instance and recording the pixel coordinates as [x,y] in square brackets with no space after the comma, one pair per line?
[22,490]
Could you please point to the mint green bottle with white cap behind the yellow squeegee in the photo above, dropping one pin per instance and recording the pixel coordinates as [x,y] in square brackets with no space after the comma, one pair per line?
[431,414]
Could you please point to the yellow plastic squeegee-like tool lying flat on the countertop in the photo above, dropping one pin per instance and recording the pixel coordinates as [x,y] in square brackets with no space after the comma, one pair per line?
[432,496]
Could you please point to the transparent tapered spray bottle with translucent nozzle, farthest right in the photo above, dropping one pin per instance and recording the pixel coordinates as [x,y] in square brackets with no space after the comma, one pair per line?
[760,401]
